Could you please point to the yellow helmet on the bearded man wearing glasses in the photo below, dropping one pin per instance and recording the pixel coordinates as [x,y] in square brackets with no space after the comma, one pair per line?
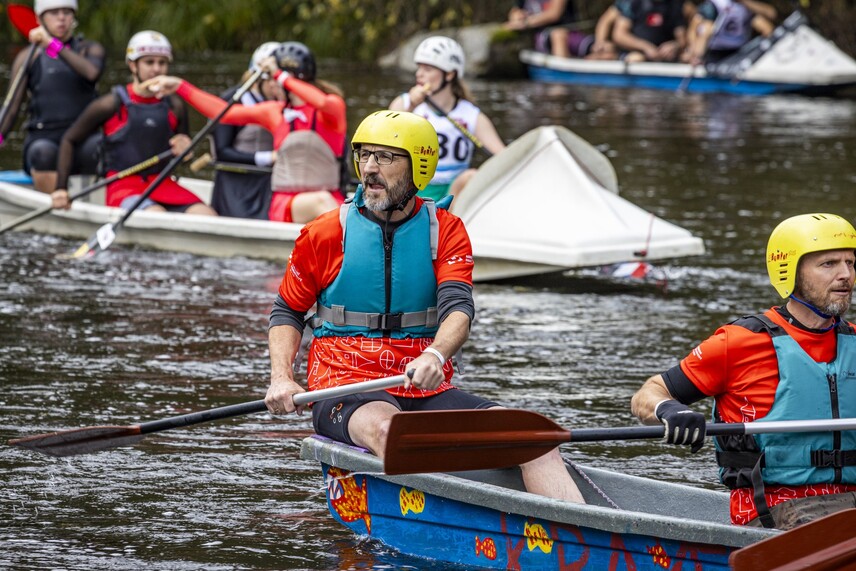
[405,131]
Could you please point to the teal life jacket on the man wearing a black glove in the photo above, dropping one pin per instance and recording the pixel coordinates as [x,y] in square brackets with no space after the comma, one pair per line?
[807,390]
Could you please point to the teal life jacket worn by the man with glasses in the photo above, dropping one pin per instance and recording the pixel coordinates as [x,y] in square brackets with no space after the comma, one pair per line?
[384,288]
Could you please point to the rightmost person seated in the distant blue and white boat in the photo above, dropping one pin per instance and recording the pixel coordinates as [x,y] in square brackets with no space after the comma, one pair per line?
[722,27]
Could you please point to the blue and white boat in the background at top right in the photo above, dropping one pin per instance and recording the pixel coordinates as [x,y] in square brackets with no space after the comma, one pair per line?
[795,59]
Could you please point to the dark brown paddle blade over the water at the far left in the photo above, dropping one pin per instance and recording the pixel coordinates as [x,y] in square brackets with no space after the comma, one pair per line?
[81,440]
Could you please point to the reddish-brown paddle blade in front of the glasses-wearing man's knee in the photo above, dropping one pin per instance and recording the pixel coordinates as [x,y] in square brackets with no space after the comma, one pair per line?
[455,440]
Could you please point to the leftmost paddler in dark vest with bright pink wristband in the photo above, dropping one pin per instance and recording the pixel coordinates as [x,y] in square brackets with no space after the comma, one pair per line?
[61,82]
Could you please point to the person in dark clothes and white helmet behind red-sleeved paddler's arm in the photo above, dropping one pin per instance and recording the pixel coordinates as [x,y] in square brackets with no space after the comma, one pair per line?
[243,154]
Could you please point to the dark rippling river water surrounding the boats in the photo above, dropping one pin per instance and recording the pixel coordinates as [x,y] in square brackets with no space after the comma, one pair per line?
[139,335]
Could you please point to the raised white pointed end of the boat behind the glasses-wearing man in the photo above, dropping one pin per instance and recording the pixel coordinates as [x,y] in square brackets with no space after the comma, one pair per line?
[550,203]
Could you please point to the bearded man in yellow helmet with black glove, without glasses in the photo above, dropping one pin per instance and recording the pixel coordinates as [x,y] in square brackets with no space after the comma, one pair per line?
[793,362]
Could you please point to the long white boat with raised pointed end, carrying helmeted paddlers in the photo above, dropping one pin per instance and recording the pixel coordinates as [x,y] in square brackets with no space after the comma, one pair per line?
[548,203]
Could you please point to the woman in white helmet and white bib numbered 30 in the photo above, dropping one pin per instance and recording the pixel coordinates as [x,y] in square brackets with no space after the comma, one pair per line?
[439,80]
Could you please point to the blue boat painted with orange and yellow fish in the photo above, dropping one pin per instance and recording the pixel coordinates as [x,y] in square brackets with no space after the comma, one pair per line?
[484,519]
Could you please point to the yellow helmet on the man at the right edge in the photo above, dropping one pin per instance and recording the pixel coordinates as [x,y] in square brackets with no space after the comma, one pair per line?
[800,235]
